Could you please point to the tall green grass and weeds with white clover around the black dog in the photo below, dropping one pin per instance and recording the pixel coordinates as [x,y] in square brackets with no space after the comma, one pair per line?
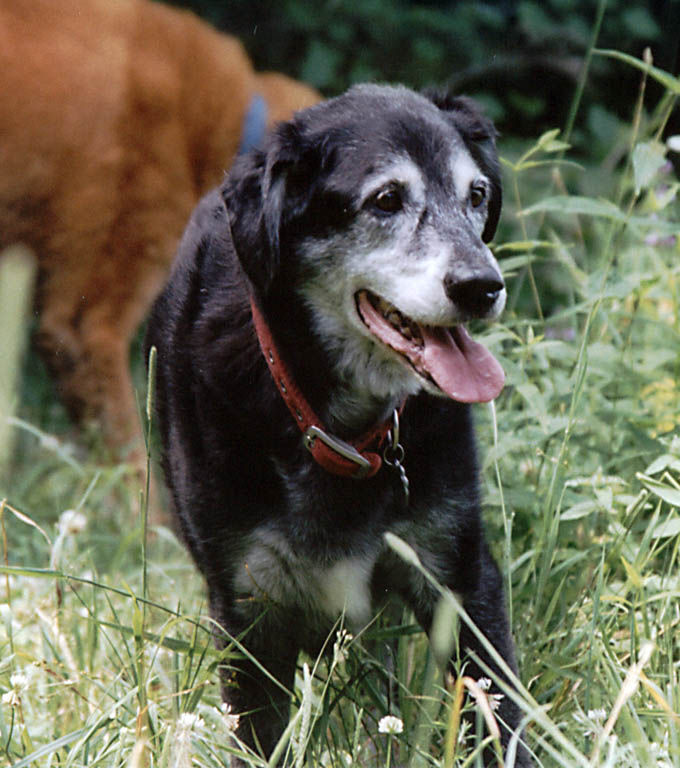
[106,657]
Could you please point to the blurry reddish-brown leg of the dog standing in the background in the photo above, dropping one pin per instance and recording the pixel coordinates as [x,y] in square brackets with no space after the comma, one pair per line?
[86,326]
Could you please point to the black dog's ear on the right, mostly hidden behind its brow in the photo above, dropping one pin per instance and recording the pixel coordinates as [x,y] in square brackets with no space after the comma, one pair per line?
[479,134]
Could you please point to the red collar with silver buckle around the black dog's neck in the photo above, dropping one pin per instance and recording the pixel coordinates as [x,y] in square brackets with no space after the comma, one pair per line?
[357,458]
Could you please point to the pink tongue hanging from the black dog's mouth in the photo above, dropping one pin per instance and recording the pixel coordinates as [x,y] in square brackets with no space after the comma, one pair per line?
[462,368]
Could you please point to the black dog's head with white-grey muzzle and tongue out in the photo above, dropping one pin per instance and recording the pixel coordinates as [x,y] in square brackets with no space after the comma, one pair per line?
[374,209]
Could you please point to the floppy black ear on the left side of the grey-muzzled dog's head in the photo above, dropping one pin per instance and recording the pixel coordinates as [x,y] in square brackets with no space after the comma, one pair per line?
[263,191]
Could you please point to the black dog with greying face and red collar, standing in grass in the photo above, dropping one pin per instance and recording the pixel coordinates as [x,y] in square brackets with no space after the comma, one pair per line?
[317,300]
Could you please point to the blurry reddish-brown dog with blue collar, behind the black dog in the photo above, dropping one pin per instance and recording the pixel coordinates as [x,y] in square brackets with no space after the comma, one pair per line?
[115,117]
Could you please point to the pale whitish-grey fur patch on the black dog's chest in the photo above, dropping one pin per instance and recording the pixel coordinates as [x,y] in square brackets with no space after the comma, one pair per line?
[270,571]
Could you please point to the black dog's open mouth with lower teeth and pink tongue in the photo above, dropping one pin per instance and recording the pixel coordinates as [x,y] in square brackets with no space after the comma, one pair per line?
[462,368]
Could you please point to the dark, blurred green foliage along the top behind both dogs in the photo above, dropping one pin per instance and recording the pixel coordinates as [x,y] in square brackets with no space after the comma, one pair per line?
[521,57]
